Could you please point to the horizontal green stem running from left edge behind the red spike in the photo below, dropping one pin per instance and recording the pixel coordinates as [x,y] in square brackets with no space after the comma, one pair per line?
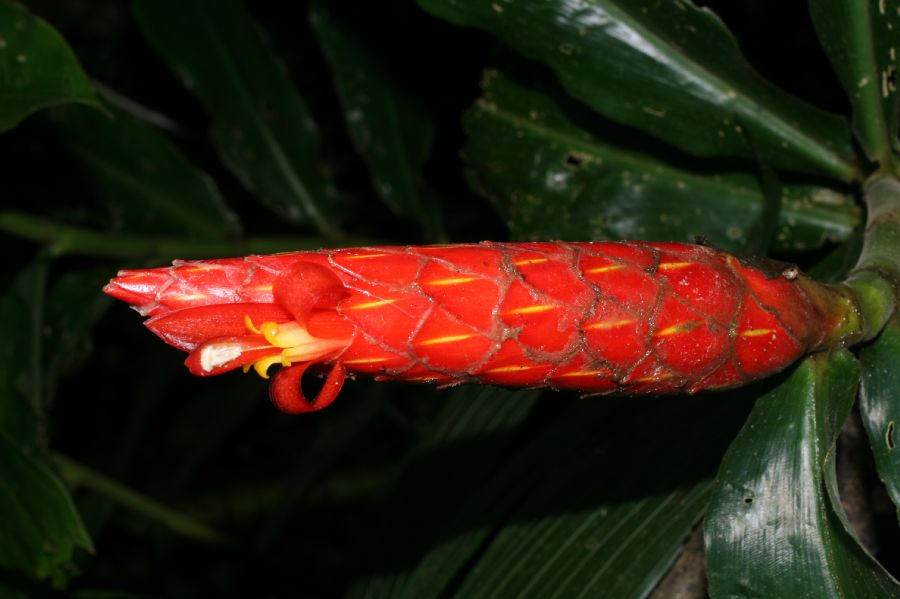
[67,239]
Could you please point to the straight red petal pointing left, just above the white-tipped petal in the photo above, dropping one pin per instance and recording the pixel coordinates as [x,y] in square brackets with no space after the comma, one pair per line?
[188,328]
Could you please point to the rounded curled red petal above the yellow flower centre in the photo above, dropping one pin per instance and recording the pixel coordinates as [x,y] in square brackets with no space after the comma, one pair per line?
[306,286]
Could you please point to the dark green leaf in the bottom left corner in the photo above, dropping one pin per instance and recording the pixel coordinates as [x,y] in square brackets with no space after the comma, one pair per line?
[39,526]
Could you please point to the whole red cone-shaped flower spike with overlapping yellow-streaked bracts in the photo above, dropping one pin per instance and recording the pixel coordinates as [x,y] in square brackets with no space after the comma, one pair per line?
[593,317]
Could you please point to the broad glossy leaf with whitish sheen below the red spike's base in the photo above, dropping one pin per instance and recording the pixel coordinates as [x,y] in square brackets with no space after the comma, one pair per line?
[775,525]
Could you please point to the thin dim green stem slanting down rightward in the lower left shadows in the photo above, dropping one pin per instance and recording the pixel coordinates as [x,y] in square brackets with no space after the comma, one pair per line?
[76,474]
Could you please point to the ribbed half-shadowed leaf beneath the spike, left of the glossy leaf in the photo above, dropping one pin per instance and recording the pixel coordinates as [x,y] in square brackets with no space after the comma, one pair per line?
[598,498]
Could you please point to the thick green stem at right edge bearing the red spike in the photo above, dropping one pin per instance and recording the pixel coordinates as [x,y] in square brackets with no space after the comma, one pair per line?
[875,281]
